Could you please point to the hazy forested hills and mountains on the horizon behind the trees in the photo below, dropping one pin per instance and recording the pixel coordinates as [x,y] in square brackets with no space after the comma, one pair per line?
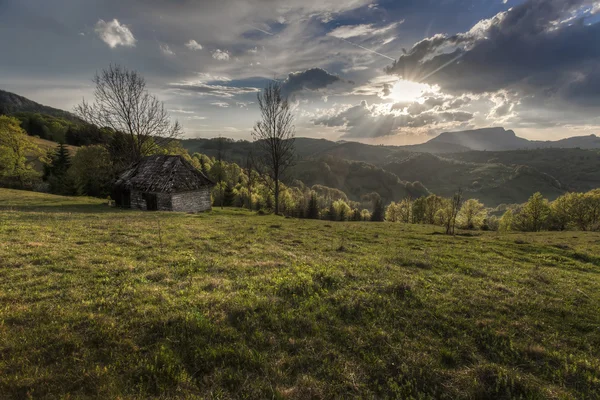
[491,164]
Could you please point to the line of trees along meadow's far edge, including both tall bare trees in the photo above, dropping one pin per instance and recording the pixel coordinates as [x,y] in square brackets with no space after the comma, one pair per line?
[125,123]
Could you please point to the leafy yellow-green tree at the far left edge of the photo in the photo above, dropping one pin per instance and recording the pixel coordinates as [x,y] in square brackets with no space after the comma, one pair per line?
[15,145]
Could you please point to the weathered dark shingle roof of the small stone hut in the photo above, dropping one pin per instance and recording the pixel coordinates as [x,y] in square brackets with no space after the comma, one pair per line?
[163,174]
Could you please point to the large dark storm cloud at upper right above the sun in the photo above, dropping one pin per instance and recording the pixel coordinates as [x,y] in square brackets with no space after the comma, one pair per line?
[531,48]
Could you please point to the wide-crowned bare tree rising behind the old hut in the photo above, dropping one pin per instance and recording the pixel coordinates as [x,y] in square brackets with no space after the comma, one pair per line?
[123,103]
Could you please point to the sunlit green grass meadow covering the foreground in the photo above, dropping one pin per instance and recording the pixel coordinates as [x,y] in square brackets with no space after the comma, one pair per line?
[105,303]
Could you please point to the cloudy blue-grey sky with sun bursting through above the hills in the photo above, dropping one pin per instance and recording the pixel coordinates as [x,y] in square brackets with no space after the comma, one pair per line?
[376,71]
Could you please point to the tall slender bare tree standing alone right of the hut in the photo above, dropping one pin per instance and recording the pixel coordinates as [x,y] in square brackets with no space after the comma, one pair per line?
[274,137]
